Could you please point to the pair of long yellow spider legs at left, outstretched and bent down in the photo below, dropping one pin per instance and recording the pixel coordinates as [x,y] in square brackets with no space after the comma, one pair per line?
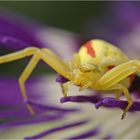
[45,54]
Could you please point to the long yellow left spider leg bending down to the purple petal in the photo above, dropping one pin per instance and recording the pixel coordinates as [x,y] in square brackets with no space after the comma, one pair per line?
[48,57]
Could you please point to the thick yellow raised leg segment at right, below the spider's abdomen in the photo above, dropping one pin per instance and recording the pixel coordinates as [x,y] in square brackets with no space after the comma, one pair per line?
[118,73]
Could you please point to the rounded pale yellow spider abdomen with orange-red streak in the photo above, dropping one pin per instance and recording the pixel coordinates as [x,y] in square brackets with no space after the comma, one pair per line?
[99,52]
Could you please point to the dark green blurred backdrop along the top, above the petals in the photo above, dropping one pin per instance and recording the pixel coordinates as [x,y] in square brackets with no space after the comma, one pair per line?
[70,16]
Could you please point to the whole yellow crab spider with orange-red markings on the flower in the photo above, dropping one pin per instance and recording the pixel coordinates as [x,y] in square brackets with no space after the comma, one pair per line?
[98,65]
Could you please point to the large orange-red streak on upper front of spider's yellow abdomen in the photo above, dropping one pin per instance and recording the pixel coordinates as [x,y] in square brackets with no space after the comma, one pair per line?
[90,49]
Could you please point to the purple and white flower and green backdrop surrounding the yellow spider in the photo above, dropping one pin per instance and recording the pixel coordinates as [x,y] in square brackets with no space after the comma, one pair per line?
[63,27]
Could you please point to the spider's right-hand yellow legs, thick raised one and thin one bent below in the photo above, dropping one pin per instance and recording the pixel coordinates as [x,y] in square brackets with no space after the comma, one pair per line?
[110,80]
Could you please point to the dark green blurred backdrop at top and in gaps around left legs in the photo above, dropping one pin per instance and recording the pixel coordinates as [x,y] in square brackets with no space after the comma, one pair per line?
[70,16]
